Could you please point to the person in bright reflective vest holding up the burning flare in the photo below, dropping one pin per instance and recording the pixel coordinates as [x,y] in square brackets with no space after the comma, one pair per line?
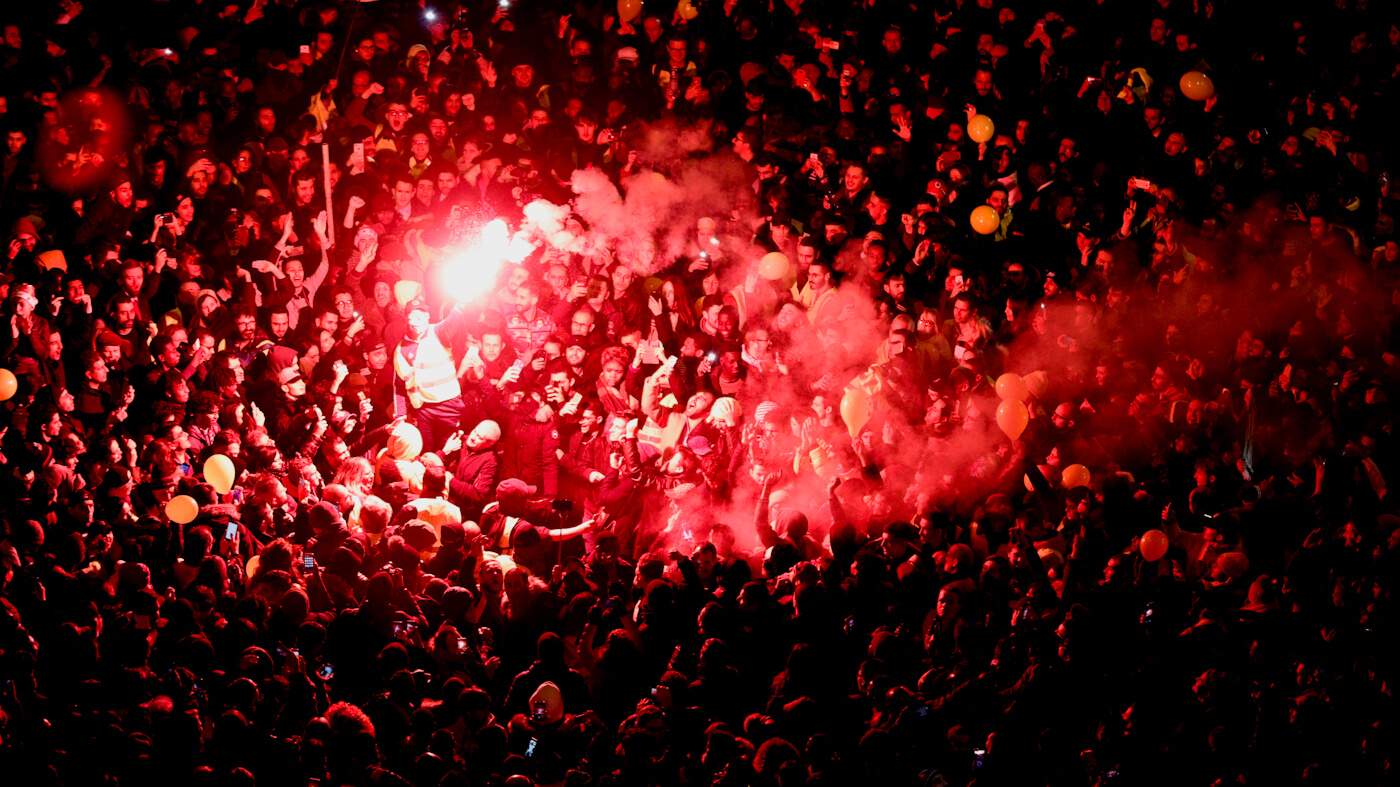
[426,389]
